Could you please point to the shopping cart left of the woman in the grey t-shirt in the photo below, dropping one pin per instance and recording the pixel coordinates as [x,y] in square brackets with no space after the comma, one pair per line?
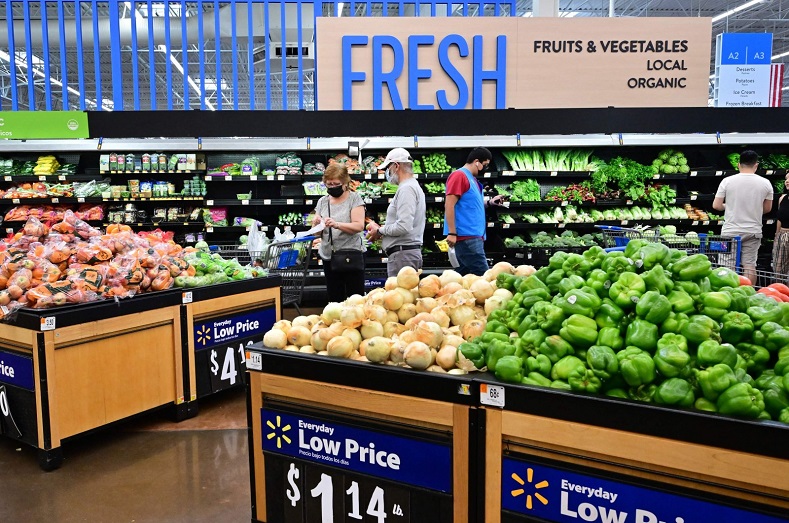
[290,260]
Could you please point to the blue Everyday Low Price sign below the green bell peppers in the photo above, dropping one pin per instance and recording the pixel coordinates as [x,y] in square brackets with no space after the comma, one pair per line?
[557,495]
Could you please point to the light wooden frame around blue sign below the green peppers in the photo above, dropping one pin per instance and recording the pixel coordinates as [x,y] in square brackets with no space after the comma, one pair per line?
[732,474]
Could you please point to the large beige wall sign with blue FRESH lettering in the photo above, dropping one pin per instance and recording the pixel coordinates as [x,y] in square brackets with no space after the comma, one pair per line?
[500,63]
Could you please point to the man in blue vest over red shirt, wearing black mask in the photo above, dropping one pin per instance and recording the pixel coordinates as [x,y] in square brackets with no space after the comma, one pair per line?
[464,208]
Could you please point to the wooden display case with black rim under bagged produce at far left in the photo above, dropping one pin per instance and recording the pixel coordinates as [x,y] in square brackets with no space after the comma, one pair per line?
[69,370]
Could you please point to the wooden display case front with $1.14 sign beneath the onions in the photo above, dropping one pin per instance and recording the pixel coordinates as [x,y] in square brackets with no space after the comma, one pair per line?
[337,440]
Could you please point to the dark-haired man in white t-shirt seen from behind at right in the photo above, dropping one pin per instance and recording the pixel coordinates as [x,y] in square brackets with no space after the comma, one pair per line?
[745,198]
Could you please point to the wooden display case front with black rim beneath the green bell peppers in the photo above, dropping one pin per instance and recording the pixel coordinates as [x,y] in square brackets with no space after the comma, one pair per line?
[558,456]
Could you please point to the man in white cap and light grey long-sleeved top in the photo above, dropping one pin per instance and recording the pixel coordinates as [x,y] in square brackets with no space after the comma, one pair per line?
[405,218]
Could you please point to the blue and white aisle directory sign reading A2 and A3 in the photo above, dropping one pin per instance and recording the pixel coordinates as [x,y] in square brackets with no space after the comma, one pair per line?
[743,72]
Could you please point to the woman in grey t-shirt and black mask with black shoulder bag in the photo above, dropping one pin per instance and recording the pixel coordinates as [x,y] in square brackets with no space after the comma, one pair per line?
[342,212]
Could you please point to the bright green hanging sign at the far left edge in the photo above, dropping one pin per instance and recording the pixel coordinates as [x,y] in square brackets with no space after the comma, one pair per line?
[31,125]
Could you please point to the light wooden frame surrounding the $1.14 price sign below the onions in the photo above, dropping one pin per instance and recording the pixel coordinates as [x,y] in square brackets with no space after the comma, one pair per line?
[383,407]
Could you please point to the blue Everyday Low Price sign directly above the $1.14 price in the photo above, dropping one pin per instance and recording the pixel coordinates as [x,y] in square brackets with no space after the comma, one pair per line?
[406,461]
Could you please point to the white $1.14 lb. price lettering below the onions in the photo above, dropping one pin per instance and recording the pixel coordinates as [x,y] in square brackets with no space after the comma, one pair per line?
[323,492]
